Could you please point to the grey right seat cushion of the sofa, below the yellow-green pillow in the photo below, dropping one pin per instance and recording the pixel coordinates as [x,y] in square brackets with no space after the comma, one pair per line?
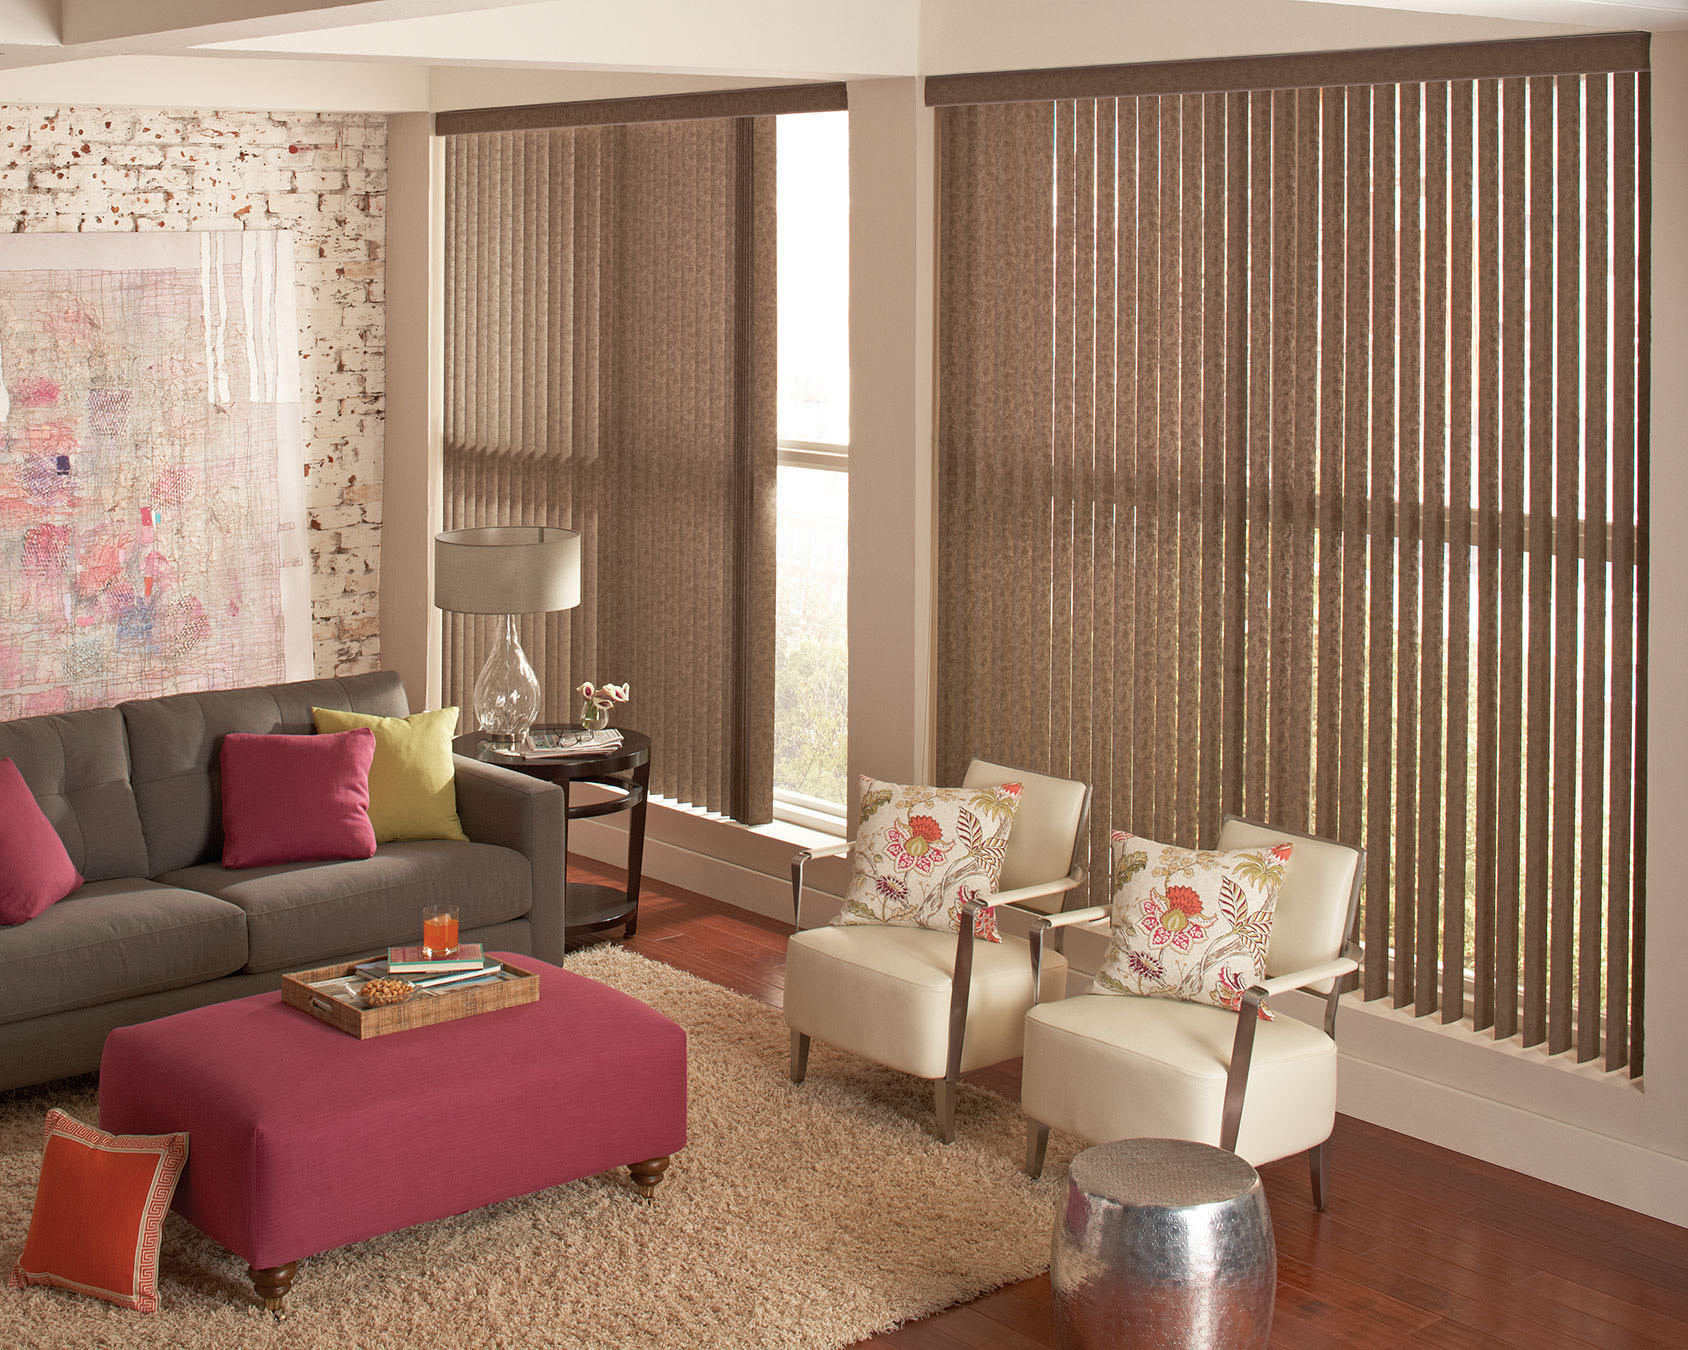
[305,912]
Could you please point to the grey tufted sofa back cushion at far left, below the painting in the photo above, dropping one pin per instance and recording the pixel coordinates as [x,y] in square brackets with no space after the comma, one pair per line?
[77,769]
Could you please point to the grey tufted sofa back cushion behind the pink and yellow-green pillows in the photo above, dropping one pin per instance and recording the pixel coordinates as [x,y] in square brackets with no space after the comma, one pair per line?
[175,747]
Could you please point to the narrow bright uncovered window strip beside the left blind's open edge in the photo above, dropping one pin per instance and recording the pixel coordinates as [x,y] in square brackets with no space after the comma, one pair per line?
[811,632]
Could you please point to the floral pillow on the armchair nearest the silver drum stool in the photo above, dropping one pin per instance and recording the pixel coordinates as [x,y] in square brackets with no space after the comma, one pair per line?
[1191,924]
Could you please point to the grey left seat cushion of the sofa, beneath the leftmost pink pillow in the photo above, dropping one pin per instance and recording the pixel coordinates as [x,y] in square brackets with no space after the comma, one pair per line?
[116,941]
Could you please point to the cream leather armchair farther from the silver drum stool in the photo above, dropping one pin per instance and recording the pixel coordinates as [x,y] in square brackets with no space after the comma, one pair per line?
[939,1005]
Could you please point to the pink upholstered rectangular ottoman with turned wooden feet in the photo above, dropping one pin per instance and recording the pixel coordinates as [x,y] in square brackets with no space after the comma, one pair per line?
[303,1138]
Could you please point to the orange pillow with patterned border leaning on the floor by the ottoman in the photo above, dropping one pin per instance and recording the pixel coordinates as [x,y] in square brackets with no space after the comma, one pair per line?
[100,1212]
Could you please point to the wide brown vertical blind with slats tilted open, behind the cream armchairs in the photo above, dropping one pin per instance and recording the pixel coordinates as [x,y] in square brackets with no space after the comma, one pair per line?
[1294,463]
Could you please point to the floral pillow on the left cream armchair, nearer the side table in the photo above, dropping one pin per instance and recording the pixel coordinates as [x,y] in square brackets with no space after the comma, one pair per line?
[924,853]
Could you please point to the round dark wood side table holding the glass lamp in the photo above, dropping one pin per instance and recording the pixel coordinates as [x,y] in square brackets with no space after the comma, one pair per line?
[625,772]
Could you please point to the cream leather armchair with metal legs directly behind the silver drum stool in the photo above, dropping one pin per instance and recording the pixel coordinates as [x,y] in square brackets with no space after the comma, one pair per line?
[1110,1067]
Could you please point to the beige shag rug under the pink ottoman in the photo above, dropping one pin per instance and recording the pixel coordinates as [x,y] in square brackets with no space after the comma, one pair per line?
[798,1218]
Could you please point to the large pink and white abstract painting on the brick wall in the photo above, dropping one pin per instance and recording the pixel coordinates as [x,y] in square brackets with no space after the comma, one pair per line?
[151,468]
